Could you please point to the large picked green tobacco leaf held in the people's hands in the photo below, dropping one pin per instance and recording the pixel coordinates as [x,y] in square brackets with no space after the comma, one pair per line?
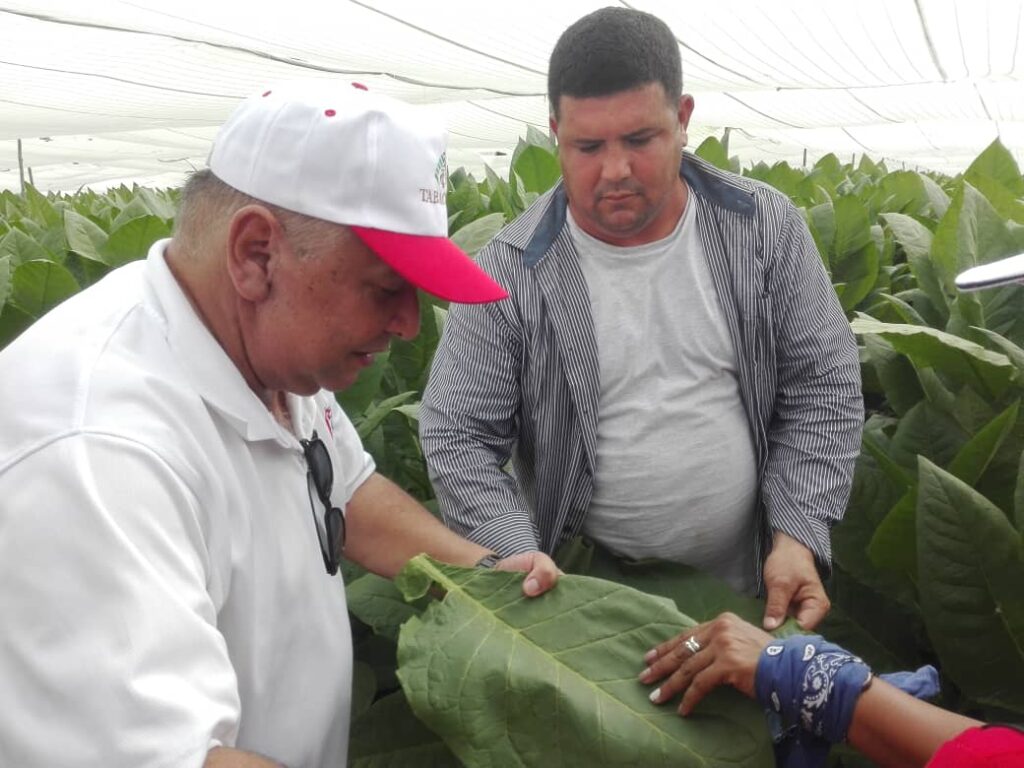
[508,680]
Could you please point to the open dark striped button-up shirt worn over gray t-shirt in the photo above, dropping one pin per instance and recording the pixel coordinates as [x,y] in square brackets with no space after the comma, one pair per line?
[520,379]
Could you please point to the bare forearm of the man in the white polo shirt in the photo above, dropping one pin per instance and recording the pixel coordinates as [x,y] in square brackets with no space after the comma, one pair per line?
[387,528]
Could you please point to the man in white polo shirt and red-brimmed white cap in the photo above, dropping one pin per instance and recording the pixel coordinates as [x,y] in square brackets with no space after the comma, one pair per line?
[177,480]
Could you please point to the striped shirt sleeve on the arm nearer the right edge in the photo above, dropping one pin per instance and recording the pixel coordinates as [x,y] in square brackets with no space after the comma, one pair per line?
[816,429]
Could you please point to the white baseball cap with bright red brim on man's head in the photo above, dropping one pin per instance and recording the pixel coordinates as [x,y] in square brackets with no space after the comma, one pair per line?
[336,152]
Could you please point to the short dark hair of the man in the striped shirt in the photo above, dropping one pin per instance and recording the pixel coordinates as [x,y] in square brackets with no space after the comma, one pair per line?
[614,51]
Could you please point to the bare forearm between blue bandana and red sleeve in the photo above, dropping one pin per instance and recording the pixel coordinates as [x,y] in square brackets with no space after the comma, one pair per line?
[899,732]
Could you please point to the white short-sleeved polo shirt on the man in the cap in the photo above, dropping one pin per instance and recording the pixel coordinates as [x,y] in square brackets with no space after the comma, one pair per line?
[162,589]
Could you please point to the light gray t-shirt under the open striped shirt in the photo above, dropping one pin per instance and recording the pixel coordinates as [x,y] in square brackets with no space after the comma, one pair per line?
[676,468]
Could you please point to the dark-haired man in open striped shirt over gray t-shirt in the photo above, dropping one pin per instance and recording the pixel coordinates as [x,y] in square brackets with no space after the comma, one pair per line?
[672,375]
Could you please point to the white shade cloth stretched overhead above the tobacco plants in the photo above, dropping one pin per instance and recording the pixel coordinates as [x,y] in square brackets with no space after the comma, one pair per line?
[105,93]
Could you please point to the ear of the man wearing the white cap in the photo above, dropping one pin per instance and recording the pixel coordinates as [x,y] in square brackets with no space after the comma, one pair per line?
[254,240]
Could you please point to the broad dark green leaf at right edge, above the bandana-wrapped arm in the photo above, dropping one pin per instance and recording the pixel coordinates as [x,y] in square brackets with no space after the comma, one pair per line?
[971,570]
